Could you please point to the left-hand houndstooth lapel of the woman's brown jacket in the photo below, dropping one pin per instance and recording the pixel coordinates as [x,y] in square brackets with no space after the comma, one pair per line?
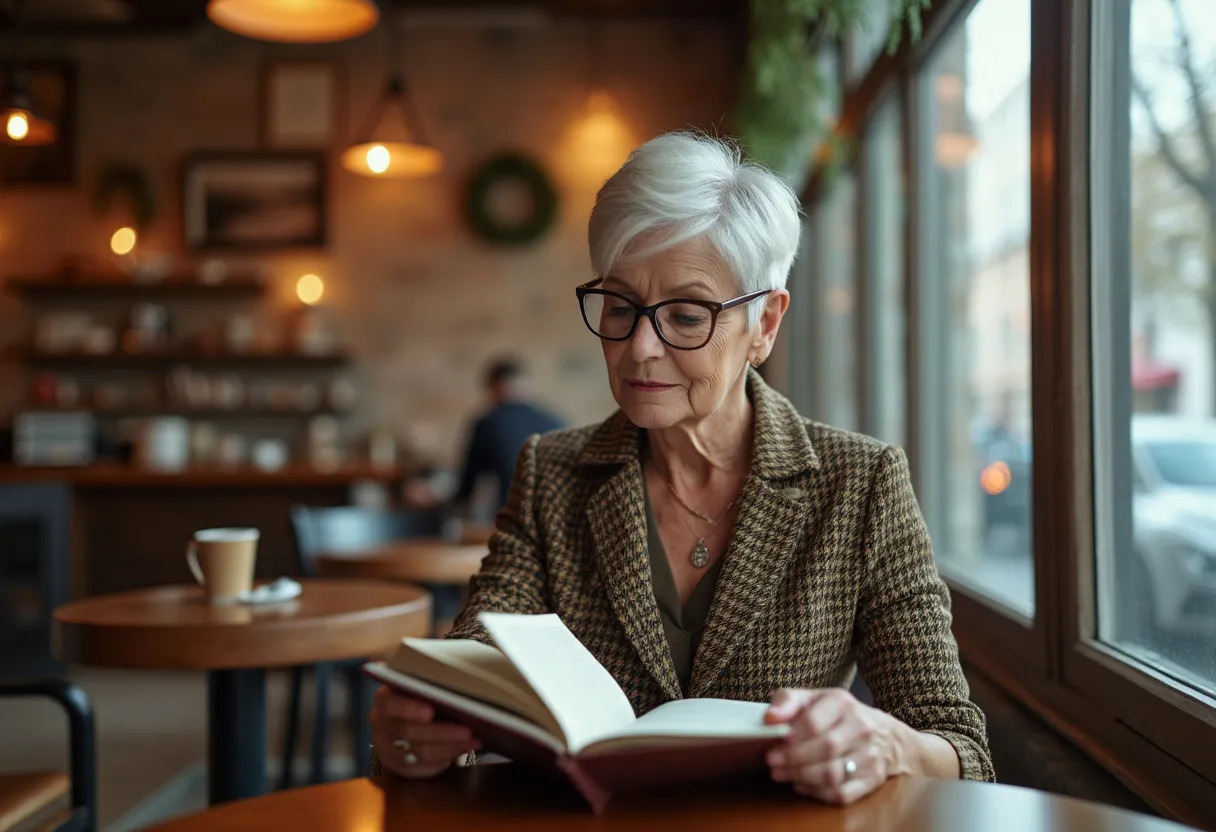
[617,515]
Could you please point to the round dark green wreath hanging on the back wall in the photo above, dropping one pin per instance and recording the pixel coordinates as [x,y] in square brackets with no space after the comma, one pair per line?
[494,229]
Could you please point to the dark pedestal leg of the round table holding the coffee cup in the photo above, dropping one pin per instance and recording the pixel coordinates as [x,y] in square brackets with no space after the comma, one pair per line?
[237,718]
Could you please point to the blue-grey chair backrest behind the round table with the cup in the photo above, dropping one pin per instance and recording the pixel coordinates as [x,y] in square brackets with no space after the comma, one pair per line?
[346,529]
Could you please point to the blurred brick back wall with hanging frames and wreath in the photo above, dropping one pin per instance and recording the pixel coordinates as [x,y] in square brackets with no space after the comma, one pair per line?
[418,299]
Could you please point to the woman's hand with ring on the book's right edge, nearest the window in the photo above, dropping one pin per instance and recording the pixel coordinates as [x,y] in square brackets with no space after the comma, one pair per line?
[838,750]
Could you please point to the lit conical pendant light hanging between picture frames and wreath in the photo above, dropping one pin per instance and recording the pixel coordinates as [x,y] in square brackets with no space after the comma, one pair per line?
[379,151]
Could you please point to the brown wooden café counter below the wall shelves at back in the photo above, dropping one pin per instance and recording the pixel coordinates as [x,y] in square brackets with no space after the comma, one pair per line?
[128,527]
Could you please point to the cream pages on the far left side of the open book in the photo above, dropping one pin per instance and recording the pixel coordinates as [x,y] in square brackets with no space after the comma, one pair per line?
[475,670]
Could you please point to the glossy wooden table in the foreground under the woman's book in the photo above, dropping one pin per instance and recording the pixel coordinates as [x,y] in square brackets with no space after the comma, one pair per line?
[509,797]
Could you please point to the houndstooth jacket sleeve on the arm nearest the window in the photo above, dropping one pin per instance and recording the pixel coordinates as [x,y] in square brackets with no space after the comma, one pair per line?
[907,651]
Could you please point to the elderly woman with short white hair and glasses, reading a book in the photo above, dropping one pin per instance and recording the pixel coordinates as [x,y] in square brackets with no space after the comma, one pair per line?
[707,541]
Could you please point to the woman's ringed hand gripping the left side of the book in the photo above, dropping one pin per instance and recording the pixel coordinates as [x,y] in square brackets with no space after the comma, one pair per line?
[409,740]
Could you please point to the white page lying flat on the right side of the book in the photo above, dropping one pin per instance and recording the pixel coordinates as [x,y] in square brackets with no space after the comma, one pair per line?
[695,721]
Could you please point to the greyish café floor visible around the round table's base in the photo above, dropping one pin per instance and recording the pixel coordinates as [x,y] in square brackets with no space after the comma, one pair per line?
[151,730]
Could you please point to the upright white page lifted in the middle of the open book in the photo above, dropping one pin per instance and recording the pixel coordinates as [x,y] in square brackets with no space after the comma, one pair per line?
[581,694]
